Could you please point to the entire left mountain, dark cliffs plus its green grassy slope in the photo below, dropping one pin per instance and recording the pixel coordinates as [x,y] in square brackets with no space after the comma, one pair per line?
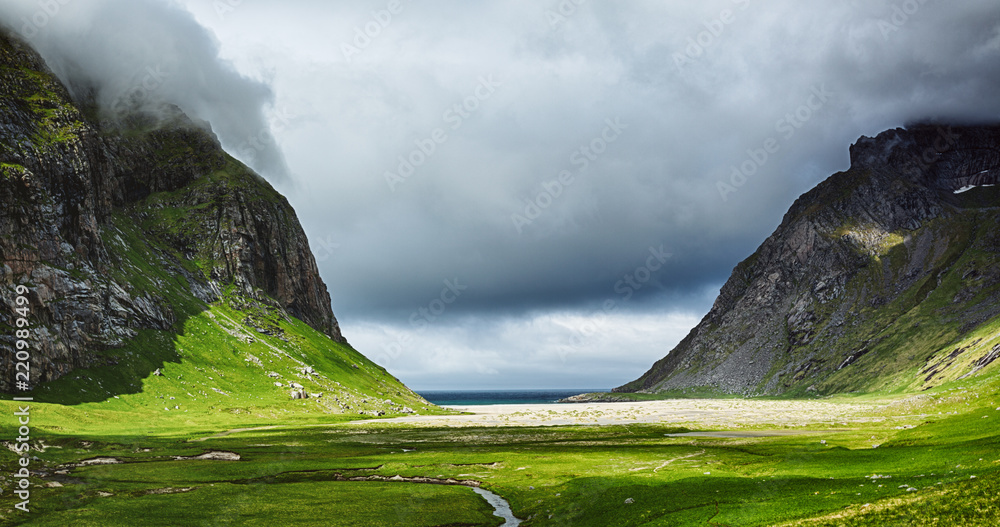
[151,255]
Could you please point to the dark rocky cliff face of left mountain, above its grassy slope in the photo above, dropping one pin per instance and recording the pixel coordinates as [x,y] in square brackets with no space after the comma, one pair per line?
[78,200]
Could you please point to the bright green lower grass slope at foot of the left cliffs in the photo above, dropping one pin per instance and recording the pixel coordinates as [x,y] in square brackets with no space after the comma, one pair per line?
[218,372]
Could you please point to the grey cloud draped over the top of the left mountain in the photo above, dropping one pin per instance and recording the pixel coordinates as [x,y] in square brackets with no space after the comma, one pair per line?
[142,53]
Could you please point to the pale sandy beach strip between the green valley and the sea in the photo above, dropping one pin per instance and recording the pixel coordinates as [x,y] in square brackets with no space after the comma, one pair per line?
[727,413]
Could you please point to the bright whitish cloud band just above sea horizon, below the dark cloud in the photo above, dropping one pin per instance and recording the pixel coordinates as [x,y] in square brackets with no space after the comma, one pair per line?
[554,350]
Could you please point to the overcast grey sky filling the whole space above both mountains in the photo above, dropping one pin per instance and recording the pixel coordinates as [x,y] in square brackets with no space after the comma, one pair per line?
[532,193]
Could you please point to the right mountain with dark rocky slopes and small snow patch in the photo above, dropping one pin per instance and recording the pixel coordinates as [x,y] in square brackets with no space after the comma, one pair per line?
[883,277]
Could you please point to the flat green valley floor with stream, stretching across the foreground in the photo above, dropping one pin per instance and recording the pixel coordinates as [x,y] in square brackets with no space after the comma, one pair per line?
[929,459]
